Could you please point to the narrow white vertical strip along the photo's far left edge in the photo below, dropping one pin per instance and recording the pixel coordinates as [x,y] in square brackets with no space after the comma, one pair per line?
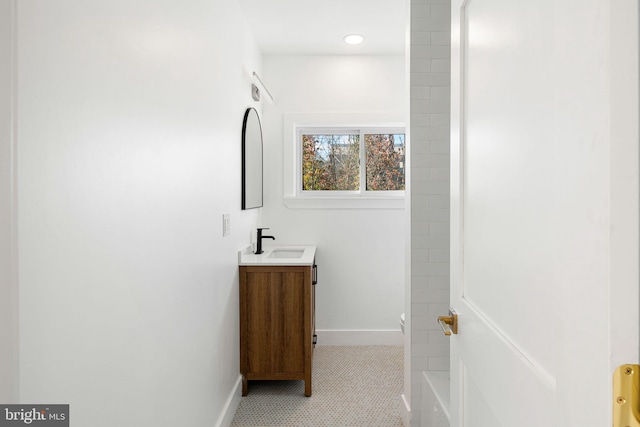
[8,292]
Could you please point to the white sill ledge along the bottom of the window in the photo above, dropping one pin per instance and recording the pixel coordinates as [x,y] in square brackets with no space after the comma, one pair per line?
[363,202]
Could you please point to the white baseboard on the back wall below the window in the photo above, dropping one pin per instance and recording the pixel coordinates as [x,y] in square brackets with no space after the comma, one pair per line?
[360,337]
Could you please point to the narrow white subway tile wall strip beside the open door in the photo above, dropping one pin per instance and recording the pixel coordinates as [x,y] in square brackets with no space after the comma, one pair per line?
[430,119]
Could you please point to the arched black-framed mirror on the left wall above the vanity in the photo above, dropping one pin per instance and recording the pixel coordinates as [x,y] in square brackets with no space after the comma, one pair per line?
[251,160]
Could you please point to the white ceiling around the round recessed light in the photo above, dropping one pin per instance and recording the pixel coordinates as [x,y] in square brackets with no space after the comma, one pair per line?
[305,27]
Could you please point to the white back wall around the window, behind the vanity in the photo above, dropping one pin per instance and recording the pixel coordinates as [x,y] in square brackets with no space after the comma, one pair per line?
[360,251]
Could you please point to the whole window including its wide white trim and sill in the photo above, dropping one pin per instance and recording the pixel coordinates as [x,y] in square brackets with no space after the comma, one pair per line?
[344,160]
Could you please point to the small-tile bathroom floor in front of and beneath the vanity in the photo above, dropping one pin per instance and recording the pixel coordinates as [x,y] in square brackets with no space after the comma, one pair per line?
[353,386]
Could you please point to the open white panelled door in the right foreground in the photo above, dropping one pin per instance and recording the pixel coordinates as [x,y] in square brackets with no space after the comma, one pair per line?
[544,209]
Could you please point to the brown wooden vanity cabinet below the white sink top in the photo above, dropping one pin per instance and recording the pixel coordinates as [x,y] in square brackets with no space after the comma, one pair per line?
[277,325]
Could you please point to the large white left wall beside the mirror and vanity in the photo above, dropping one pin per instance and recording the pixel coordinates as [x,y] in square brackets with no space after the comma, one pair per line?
[129,121]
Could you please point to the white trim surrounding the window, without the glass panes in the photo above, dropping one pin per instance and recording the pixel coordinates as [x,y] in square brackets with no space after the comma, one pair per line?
[295,198]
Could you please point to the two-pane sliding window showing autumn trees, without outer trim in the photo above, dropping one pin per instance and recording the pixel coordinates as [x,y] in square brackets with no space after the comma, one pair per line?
[332,161]
